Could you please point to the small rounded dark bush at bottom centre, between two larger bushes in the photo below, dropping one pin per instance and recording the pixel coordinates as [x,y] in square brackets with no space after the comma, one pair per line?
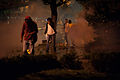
[71,61]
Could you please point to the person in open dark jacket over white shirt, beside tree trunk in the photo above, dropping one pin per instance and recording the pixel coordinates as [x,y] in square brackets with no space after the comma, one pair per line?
[50,33]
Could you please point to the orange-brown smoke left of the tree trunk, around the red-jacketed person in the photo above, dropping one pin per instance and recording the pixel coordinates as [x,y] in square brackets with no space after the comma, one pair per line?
[10,29]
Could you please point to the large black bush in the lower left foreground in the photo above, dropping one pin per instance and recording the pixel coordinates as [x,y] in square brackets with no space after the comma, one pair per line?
[21,65]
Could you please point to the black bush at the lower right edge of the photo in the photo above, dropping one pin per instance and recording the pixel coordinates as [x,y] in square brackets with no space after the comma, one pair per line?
[106,62]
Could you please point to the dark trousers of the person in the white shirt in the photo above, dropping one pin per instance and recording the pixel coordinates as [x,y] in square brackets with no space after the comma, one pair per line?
[50,38]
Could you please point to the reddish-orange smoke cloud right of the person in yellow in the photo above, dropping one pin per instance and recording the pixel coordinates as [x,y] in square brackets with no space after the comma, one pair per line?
[81,32]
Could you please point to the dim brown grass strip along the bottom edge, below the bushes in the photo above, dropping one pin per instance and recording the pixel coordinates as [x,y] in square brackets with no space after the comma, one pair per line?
[65,74]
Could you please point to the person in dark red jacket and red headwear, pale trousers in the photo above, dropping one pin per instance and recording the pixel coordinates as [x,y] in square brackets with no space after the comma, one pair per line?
[29,33]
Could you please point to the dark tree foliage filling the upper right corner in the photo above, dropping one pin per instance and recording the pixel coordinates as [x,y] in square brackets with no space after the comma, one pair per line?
[105,10]
